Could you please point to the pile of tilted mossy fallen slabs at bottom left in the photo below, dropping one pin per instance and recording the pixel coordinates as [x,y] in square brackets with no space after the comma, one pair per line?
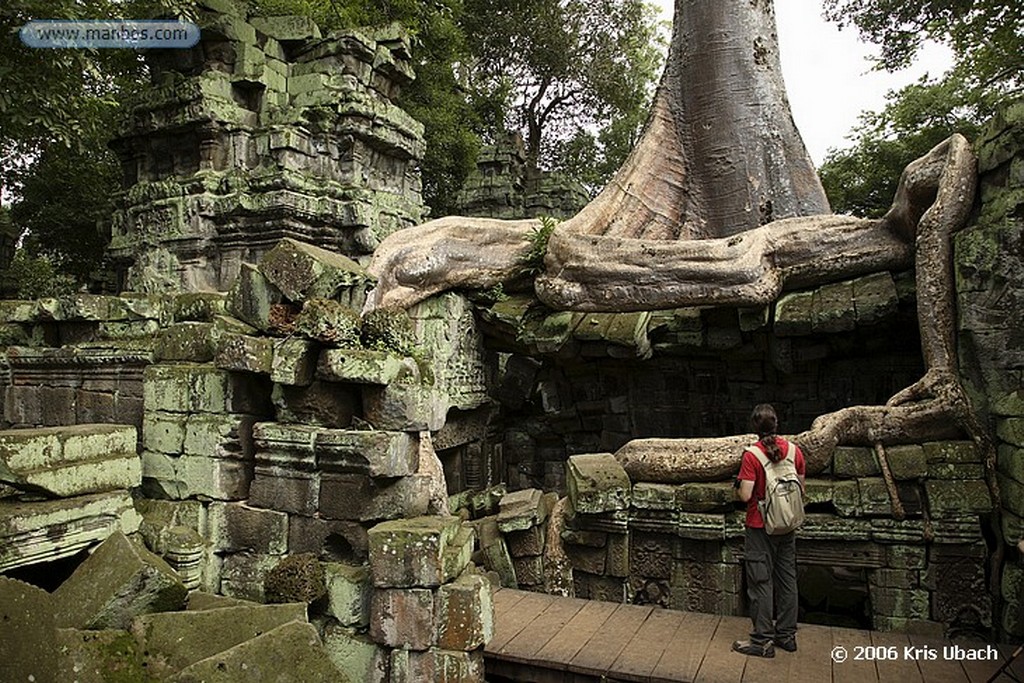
[123,616]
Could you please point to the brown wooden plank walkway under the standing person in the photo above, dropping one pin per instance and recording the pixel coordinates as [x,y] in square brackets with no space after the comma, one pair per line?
[547,639]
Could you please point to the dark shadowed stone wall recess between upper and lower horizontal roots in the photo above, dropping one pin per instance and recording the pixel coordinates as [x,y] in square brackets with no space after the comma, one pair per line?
[573,383]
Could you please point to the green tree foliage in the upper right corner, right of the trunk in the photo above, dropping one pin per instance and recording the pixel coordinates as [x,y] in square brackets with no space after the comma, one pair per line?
[988,41]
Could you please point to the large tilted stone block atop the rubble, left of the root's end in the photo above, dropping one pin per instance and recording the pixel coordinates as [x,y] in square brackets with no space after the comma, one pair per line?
[303,272]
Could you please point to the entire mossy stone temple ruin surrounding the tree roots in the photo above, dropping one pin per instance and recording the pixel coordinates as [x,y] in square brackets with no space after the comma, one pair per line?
[265,476]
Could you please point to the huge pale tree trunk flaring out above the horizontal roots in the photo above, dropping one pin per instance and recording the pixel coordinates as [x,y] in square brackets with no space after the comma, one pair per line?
[721,154]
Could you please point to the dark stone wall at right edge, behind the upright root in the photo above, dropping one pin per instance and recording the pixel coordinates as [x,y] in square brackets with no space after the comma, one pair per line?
[990,257]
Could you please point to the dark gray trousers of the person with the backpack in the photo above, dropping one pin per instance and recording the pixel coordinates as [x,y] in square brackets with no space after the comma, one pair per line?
[772,584]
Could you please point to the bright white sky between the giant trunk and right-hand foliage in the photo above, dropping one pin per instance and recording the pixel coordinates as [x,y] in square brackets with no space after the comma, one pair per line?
[829,73]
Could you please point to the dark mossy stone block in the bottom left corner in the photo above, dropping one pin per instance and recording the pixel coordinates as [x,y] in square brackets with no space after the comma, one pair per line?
[27,624]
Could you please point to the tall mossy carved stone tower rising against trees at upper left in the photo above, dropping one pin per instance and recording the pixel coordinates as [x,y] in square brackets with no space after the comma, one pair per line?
[266,130]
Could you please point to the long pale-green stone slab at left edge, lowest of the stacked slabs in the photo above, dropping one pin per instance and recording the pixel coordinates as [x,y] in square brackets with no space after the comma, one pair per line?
[48,531]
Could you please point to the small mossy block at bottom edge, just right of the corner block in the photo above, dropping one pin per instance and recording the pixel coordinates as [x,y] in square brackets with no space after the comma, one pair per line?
[98,657]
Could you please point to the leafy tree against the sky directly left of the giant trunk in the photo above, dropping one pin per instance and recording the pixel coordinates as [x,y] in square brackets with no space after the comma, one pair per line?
[556,69]
